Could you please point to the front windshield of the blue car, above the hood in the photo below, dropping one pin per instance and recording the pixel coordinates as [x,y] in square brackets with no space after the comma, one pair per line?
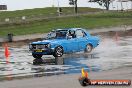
[58,34]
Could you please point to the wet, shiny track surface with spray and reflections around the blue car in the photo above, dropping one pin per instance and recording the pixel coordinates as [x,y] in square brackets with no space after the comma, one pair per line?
[113,52]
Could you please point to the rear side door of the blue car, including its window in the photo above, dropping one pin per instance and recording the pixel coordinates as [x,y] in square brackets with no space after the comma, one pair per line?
[82,40]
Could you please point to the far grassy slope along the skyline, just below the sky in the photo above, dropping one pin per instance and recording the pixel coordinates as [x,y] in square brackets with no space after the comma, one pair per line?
[45,12]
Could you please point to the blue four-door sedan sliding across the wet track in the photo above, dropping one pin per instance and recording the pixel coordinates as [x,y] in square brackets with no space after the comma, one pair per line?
[62,41]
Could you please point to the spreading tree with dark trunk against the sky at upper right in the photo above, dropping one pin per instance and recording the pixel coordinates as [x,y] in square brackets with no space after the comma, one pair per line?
[105,3]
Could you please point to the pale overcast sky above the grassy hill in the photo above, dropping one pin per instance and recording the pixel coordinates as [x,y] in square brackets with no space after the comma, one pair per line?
[29,4]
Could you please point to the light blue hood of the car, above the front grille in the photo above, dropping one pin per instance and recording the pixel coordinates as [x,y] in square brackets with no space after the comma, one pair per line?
[49,41]
